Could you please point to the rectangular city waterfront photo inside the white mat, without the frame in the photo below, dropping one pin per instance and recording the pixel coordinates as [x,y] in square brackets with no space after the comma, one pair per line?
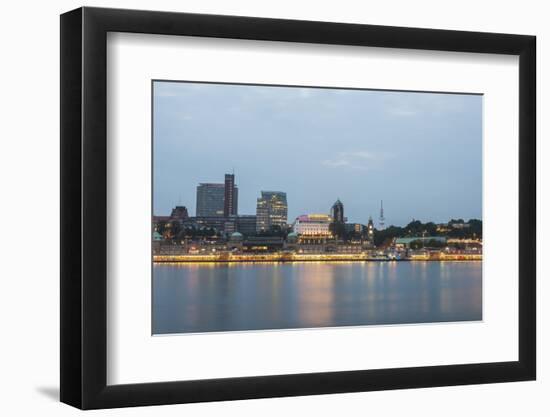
[281,207]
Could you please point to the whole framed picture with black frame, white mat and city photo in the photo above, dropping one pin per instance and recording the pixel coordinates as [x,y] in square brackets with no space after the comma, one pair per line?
[258,208]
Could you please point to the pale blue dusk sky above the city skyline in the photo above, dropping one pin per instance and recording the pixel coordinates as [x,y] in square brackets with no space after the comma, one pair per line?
[421,153]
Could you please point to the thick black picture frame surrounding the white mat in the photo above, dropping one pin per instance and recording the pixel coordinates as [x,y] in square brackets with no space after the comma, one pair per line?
[84,207]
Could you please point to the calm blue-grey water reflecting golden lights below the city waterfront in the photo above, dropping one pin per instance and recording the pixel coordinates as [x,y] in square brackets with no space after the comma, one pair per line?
[253,296]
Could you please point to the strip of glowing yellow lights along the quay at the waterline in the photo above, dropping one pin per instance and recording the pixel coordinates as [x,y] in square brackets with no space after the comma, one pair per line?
[303,257]
